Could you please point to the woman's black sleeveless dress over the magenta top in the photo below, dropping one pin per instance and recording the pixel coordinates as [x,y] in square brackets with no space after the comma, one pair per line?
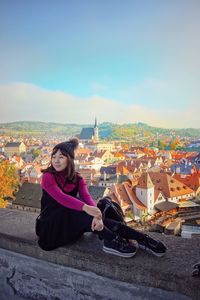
[60,225]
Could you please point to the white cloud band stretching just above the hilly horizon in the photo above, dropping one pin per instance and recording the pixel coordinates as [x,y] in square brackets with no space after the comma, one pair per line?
[22,101]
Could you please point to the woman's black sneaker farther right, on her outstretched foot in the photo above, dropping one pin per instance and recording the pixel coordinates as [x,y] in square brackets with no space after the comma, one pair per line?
[157,248]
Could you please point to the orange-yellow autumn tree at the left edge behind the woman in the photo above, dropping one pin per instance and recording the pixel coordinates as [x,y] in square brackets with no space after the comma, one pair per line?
[9,181]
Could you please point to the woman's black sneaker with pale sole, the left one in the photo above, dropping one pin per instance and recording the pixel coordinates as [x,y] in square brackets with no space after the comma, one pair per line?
[119,246]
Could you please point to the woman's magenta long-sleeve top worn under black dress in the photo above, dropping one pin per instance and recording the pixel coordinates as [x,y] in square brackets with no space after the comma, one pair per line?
[50,185]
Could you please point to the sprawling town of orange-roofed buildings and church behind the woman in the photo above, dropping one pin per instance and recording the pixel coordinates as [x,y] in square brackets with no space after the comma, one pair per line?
[156,184]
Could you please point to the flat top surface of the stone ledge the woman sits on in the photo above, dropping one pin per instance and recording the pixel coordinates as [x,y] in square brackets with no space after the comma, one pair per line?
[171,272]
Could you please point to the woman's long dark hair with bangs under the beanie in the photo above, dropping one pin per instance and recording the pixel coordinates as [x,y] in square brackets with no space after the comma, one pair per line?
[70,173]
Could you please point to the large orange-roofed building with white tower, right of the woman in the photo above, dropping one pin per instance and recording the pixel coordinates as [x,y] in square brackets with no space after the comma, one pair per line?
[151,192]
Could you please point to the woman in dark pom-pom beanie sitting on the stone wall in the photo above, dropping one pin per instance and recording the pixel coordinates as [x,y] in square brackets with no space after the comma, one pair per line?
[65,217]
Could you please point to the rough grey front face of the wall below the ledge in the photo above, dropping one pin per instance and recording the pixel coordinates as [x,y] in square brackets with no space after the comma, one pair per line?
[48,281]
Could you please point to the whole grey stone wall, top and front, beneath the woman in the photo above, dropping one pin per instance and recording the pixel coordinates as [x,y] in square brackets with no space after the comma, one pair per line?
[141,277]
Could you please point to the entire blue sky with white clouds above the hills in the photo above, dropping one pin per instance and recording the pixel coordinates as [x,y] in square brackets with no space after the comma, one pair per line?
[67,61]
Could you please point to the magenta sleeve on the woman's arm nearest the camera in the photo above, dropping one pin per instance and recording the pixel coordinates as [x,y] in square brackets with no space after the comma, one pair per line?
[50,186]
